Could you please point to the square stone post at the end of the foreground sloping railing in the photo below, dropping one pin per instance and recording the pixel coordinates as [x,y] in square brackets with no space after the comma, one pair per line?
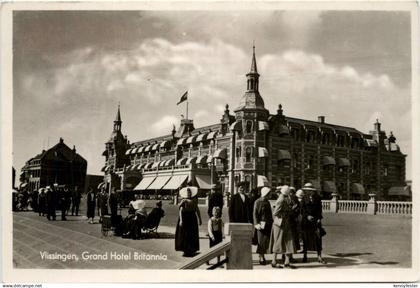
[240,253]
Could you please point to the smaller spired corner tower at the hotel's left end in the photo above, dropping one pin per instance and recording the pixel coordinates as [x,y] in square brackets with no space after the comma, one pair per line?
[116,147]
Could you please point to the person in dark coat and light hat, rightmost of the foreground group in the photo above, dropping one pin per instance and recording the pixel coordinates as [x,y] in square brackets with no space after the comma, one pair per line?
[311,222]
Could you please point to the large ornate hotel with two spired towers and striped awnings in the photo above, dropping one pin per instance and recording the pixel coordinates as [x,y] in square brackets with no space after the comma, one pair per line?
[261,148]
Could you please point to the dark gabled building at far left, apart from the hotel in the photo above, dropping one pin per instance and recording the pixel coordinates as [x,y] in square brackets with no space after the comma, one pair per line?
[57,165]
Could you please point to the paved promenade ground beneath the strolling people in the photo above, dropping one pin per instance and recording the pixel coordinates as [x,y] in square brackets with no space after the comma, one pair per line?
[352,241]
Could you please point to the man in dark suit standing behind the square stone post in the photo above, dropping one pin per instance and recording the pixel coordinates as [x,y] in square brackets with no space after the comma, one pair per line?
[240,210]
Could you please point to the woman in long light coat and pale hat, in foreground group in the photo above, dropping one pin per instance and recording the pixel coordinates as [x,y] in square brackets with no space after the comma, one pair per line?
[282,241]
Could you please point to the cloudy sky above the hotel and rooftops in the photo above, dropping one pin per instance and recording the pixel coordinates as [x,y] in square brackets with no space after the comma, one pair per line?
[72,68]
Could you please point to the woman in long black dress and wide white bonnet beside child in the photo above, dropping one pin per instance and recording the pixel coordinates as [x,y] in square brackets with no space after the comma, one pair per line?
[186,234]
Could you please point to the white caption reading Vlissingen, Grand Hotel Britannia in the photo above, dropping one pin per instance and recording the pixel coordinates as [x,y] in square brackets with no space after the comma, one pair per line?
[109,255]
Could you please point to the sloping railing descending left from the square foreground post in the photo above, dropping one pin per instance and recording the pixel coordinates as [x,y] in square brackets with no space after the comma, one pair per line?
[214,252]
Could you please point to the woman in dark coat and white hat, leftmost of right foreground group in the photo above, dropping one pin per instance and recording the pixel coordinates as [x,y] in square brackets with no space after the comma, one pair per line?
[263,222]
